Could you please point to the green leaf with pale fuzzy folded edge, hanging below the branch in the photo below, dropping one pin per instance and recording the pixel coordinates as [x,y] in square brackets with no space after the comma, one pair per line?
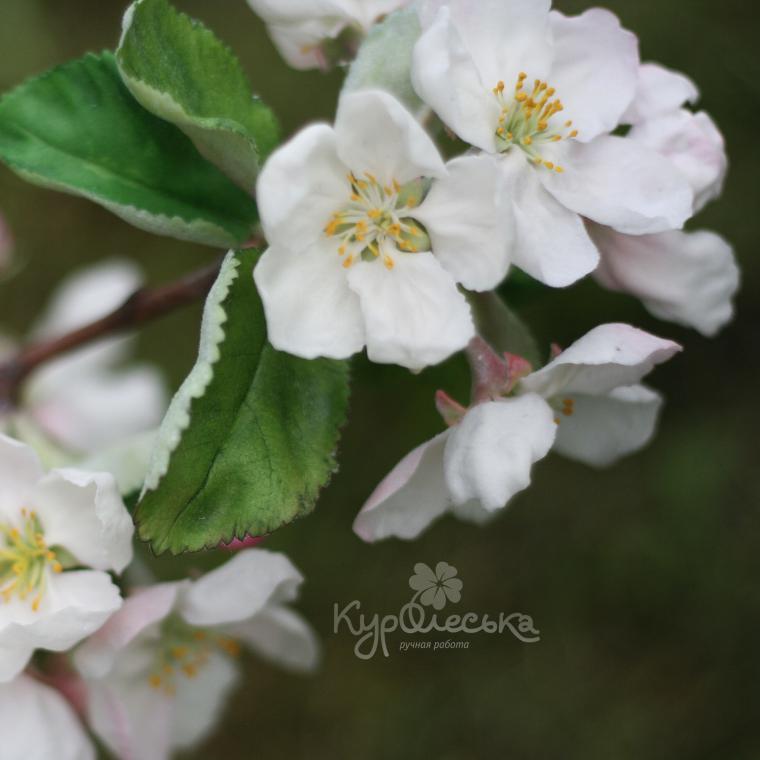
[249,439]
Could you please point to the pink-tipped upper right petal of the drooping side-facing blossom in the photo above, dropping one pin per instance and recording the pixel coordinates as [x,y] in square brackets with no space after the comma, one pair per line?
[607,357]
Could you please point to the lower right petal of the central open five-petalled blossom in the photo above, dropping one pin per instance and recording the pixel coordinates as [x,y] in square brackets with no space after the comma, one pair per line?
[414,314]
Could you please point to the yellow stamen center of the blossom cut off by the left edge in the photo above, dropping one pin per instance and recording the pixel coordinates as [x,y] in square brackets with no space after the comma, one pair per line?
[24,560]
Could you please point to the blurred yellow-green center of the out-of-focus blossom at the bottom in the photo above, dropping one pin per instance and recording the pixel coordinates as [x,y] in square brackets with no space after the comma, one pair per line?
[183,653]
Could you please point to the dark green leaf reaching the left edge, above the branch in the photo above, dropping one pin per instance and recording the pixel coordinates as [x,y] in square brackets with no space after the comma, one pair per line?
[77,129]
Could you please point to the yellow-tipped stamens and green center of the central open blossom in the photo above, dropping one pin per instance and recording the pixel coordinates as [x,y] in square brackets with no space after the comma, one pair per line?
[374,224]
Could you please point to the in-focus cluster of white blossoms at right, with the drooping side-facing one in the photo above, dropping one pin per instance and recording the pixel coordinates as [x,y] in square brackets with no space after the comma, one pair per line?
[582,161]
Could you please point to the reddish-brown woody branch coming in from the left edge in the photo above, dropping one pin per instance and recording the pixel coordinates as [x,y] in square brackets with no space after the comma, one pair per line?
[141,307]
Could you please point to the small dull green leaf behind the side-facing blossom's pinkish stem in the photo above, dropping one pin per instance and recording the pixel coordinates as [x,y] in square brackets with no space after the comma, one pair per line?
[502,329]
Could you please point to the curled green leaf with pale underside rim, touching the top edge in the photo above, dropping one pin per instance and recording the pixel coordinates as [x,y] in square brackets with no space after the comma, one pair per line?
[180,71]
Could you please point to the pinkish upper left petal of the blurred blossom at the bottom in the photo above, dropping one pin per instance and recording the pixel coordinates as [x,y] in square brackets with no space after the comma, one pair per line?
[142,611]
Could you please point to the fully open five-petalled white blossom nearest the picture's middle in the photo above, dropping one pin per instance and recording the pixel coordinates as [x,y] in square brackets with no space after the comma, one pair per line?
[350,263]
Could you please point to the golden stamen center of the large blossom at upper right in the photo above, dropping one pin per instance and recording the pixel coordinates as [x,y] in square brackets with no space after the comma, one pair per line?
[528,122]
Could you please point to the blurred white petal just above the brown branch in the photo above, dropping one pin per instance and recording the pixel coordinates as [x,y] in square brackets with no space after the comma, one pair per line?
[88,295]
